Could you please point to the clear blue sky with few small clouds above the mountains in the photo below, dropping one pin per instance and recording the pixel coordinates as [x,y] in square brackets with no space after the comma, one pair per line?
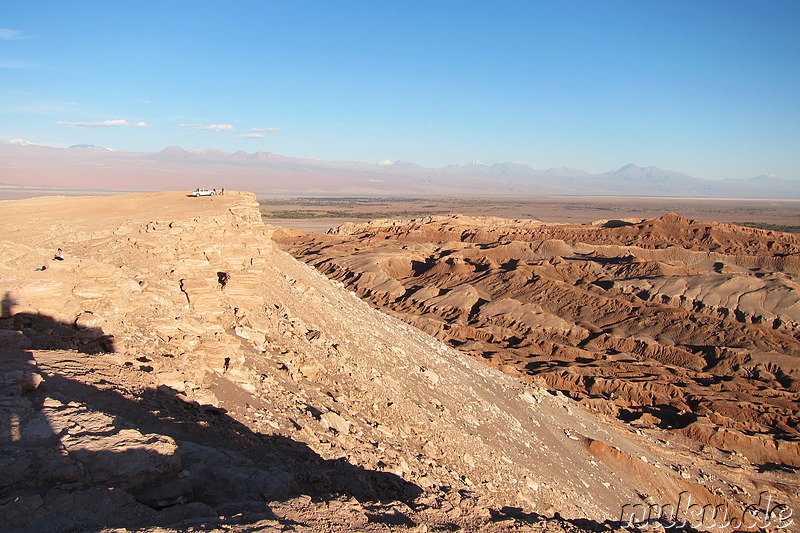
[706,87]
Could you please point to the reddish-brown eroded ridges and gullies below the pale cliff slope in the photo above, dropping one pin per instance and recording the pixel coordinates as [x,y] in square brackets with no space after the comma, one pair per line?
[680,328]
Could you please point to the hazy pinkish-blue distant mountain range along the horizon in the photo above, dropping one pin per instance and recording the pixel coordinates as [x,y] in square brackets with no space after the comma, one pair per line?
[24,164]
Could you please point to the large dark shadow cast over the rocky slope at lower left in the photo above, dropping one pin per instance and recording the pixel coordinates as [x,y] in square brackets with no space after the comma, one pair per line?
[211,465]
